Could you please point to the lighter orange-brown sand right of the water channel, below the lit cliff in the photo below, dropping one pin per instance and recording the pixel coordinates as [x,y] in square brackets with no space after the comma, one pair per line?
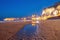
[50,29]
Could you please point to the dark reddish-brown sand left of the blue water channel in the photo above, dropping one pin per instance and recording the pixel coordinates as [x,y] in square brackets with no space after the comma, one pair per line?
[8,29]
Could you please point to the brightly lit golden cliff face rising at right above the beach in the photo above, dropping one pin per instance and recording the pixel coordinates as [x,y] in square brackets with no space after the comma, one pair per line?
[51,12]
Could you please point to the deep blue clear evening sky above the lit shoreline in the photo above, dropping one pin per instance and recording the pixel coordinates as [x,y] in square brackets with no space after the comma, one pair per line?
[22,8]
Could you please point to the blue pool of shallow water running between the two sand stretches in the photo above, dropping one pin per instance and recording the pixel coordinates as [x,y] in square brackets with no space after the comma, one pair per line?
[26,33]
